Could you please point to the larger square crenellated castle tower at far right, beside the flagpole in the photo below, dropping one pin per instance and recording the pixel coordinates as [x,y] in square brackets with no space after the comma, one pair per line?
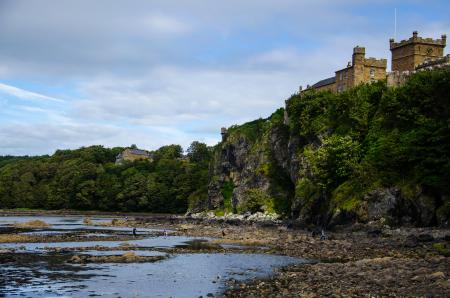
[407,54]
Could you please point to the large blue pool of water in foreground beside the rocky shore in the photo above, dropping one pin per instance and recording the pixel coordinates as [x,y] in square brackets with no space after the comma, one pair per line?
[187,275]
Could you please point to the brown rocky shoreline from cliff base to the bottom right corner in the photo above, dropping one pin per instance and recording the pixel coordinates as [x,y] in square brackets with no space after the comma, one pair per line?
[353,262]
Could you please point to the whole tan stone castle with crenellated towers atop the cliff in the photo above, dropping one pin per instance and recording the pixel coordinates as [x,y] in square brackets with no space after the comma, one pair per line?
[408,56]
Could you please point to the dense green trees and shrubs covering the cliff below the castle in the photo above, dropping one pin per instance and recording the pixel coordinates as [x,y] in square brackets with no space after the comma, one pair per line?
[373,136]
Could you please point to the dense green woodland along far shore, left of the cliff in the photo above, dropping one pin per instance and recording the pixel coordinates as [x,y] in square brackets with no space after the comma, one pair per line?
[89,179]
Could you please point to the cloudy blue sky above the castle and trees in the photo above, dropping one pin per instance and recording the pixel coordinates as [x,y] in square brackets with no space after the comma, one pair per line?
[151,73]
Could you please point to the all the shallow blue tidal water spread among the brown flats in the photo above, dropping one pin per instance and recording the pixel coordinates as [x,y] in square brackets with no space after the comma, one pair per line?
[48,274]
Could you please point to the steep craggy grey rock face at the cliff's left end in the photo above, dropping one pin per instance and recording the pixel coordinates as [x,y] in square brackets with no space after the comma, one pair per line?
[245,174]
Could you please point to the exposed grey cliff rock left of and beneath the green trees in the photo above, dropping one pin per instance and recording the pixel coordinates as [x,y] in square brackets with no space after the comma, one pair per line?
[262,174]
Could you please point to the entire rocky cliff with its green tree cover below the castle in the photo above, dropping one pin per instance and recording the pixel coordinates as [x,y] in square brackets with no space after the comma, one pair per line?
[335,159]
